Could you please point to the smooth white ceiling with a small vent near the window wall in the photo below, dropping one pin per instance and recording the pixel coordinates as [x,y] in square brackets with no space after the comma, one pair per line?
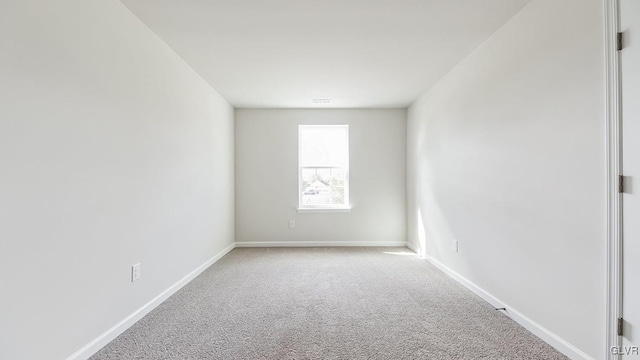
[359,53]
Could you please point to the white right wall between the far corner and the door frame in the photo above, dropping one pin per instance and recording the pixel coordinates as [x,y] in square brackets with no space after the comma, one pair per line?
[506,155]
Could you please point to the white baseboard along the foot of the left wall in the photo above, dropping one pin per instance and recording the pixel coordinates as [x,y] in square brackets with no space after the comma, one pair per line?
[99,342]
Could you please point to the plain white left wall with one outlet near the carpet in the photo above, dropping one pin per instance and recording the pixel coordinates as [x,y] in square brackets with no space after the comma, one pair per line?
[112,151]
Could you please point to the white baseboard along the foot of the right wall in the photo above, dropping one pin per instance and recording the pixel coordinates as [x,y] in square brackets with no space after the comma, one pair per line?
[543,333]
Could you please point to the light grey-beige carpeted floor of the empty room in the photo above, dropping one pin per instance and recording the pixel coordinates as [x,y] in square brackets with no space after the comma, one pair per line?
[325,303]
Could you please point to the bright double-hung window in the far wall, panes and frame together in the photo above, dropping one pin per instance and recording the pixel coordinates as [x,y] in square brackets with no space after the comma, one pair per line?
[323,166]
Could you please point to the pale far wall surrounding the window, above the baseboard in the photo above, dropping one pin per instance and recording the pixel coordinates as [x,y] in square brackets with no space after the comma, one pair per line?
[267,177]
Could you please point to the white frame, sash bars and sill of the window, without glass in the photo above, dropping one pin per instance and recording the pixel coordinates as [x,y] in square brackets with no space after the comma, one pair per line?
[330,207]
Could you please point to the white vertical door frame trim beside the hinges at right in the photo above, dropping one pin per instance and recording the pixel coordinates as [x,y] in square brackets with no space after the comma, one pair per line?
[613,159]
